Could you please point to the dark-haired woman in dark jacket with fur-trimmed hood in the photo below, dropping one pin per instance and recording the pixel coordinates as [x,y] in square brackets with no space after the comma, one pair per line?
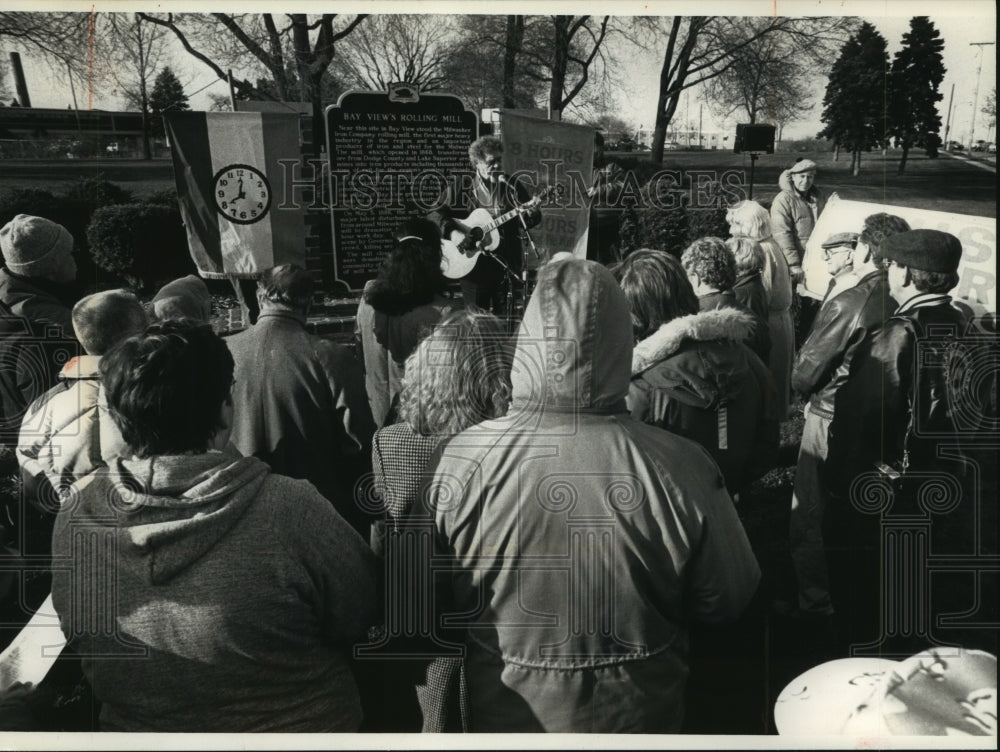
[692,375]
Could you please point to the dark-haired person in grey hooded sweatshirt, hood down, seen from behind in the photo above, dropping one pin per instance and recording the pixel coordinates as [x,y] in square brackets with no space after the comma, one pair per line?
[205,592]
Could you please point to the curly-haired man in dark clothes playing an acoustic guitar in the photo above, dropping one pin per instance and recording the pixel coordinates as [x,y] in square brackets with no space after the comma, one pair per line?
[484,285]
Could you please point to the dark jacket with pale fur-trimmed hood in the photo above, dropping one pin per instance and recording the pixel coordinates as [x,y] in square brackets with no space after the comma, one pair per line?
[695,378]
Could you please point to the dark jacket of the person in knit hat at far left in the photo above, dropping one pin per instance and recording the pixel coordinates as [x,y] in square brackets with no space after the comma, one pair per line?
[36,340]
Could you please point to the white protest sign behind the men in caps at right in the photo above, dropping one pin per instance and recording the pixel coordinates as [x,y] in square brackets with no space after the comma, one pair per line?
[978,235]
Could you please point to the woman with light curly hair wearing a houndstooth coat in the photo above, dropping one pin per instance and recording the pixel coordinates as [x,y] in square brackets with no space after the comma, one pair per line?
[457,377]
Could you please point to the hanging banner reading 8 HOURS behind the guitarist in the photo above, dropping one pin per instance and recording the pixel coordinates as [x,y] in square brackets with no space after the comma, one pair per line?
[543,154]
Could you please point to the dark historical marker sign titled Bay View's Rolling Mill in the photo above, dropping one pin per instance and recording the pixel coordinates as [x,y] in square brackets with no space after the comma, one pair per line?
[392,156]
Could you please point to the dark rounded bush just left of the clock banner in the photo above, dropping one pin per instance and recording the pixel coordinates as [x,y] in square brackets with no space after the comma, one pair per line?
[143,244]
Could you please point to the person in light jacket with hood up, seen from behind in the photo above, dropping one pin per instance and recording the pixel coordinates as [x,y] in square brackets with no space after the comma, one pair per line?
[574,544]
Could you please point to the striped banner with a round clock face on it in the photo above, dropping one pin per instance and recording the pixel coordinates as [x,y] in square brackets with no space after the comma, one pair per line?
[227,169]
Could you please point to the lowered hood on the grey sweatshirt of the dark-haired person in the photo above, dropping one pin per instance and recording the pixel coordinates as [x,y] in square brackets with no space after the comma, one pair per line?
[171,510]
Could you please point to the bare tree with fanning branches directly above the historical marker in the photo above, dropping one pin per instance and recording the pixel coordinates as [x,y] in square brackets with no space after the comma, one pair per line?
[397,47]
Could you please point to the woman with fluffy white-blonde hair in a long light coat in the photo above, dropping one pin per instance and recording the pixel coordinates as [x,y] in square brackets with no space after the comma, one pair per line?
[748,219]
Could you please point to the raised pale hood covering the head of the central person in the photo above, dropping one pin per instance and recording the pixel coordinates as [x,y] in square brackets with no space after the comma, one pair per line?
[574,345]
